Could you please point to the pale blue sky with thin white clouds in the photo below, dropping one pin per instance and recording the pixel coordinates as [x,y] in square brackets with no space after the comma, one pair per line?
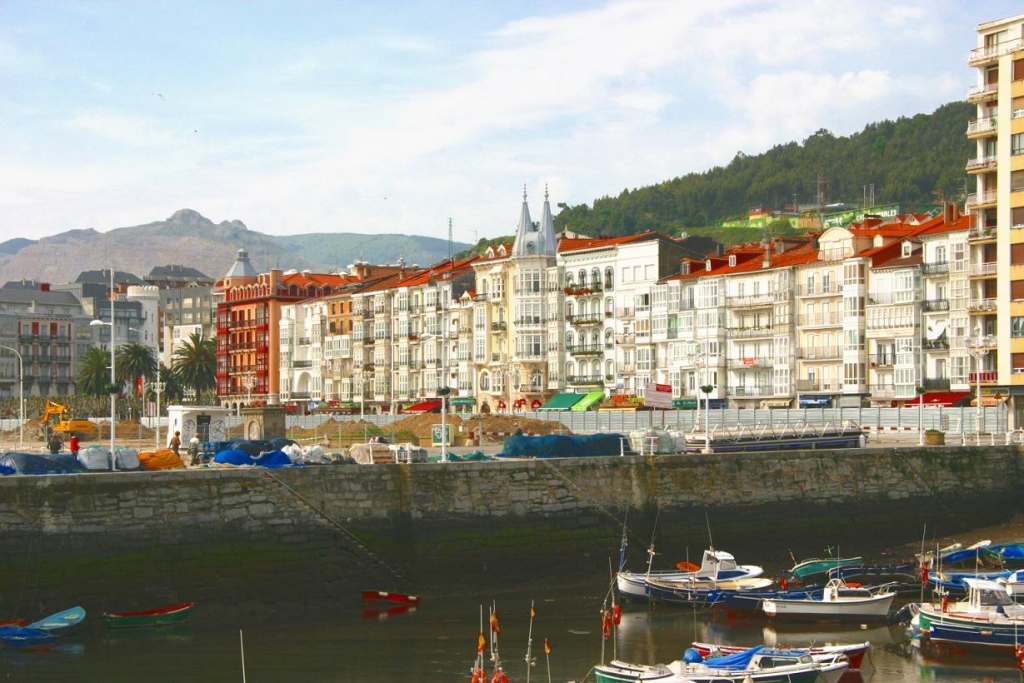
[387,116]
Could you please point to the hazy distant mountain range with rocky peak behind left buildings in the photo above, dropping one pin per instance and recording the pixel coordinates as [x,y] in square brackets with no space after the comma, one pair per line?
[190,239]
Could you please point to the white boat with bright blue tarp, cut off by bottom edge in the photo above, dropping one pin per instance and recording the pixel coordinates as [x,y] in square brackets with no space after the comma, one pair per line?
[756,665]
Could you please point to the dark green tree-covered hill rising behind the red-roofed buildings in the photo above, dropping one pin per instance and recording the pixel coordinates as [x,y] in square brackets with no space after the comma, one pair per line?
[909,160]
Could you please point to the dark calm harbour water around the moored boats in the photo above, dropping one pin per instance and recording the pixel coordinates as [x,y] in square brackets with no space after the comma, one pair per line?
[438,644]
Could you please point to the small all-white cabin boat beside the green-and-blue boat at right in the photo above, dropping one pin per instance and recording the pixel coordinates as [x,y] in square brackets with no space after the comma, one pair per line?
[839,601]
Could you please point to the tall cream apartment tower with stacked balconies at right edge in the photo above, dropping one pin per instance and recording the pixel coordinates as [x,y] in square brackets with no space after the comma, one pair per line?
[996,241]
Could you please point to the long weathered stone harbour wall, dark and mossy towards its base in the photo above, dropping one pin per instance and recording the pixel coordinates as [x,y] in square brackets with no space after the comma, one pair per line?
[317,535]
